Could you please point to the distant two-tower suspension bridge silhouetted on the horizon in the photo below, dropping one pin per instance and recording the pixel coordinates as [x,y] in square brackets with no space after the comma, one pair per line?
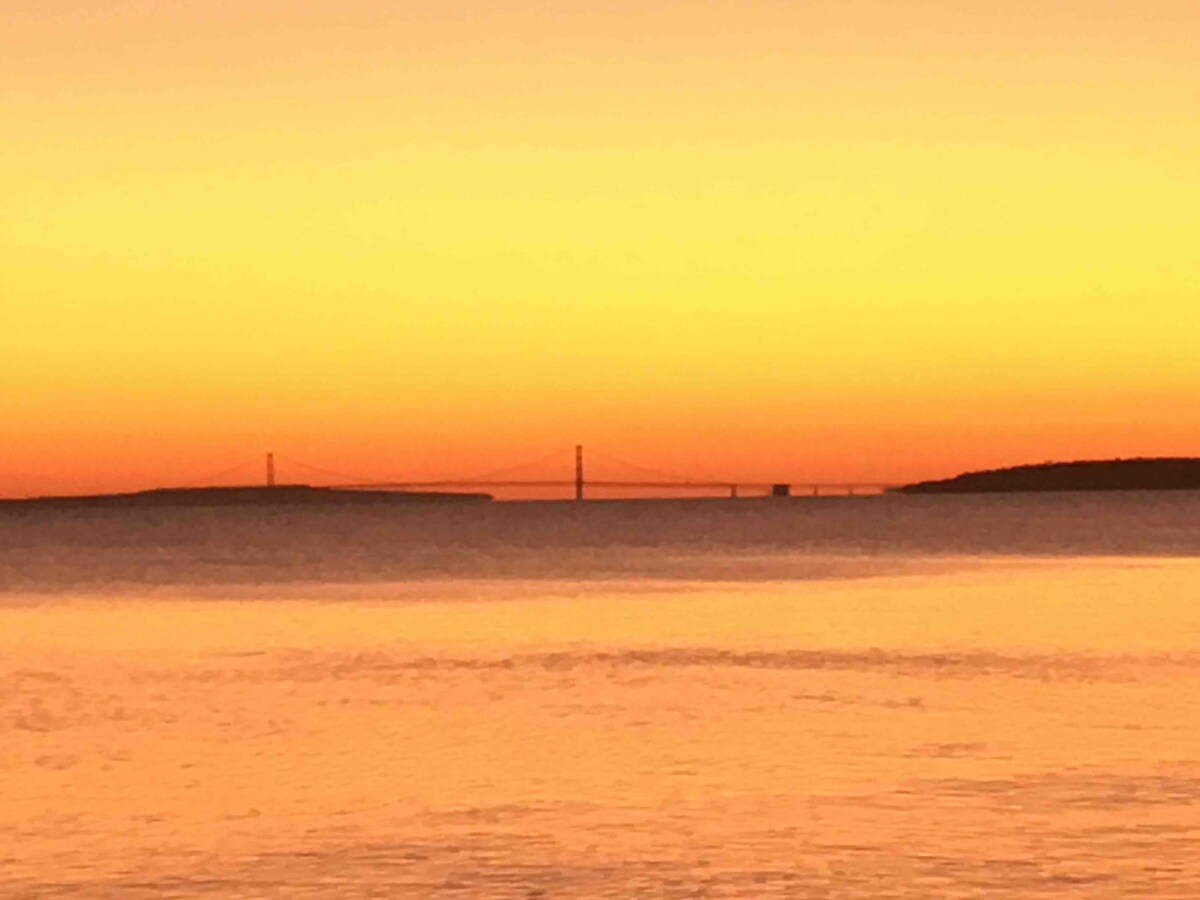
[519,482]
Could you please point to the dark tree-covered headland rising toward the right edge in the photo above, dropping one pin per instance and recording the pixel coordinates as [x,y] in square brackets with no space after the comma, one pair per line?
[1139,475]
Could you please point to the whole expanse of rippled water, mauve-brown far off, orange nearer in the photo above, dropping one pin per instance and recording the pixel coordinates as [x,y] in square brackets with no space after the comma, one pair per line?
[898,698]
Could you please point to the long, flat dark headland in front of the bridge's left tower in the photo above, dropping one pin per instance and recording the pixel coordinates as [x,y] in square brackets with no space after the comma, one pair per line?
[251,496]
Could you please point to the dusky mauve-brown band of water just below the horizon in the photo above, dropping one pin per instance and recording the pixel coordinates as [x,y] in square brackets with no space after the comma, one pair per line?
[233,549]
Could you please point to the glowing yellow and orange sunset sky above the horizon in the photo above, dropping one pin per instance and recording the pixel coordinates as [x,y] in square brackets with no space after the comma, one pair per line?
[841,239]
